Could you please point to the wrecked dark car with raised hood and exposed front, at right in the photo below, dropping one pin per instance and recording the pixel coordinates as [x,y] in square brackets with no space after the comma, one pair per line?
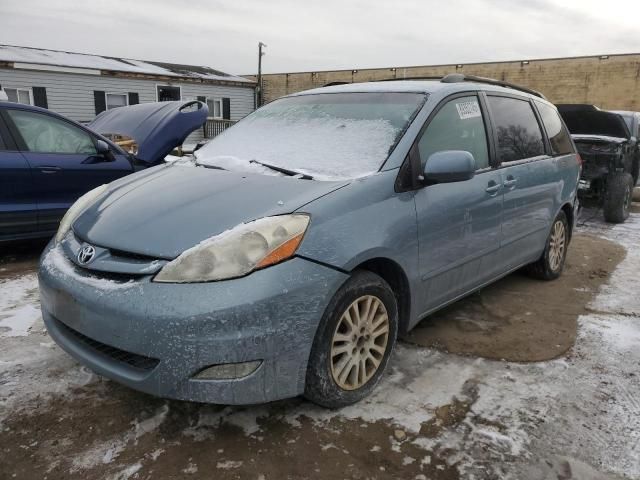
[610,156]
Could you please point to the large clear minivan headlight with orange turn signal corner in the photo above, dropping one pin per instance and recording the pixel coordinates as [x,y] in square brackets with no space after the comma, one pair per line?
[238,251]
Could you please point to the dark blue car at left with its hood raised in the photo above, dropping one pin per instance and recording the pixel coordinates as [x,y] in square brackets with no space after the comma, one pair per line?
[48,161]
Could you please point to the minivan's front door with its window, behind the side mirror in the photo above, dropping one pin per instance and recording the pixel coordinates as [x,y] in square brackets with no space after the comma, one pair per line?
[458,223]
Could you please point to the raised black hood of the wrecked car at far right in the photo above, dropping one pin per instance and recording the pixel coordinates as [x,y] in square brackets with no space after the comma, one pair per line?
[590,120]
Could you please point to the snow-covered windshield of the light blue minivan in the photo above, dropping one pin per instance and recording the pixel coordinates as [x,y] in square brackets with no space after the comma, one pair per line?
[329,136]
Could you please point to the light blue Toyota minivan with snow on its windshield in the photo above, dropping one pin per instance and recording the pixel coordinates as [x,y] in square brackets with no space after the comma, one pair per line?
[288,255]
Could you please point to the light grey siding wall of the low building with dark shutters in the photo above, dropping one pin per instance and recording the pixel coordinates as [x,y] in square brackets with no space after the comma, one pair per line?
[72,94]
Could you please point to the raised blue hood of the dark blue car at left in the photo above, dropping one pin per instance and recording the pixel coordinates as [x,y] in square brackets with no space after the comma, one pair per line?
[157,127]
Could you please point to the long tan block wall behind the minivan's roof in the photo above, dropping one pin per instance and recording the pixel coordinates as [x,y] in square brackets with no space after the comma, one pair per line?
[610,83]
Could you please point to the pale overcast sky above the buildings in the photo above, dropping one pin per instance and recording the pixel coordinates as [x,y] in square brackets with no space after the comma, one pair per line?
[324,34]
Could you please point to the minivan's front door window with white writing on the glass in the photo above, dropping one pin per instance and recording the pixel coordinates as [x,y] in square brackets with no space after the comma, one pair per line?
[457,126]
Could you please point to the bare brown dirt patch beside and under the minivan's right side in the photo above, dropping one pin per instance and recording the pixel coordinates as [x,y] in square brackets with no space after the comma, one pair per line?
[521,319]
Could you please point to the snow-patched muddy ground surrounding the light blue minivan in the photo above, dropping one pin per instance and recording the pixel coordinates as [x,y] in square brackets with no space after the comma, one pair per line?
[435,415]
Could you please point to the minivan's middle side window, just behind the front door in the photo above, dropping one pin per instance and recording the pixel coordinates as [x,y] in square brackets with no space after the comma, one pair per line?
[519,134]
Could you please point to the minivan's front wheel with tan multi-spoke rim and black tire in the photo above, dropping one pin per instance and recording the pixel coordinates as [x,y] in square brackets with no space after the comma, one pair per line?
[338,345]
